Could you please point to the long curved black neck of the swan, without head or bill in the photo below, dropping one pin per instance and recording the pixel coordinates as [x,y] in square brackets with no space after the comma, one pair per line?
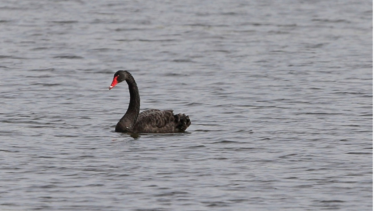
[127,122]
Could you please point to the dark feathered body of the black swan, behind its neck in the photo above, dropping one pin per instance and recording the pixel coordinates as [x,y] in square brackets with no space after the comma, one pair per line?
[157,121]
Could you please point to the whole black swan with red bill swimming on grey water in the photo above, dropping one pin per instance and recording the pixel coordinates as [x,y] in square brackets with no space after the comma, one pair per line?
[150,121]
